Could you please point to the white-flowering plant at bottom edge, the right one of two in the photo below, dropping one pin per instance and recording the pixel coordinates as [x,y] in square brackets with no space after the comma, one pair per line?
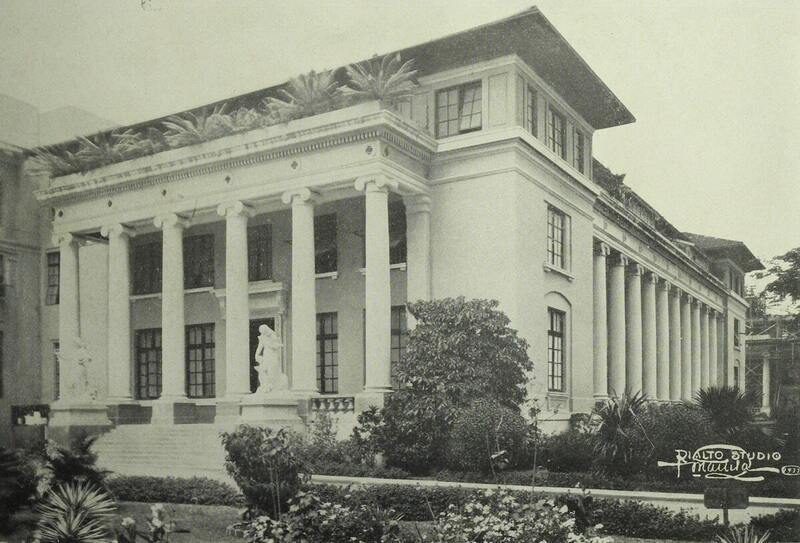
[500,517]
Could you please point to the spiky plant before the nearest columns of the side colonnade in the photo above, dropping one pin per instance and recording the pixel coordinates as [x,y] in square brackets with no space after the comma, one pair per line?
[617,430]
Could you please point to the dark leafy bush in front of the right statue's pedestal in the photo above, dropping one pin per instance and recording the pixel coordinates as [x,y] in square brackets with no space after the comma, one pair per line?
[265,465]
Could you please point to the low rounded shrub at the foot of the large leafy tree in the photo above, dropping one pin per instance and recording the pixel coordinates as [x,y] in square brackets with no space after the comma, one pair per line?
[486,437]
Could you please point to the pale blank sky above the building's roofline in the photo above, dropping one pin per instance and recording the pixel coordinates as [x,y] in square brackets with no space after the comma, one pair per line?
[714,85]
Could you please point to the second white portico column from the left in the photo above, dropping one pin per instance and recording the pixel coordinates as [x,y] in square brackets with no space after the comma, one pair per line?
[119,313]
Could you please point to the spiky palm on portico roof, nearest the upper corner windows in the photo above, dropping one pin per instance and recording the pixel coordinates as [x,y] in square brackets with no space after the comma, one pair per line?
[389,80]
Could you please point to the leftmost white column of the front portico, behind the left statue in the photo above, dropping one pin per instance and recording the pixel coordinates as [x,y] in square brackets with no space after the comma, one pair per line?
[68,308]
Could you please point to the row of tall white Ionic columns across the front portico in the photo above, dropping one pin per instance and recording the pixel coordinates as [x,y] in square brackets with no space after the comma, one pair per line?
[303,296]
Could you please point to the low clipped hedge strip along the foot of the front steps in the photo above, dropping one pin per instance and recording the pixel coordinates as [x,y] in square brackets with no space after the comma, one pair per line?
[197,490]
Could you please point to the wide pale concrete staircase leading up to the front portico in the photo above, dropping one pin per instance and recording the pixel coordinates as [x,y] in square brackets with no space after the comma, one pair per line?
[179,450]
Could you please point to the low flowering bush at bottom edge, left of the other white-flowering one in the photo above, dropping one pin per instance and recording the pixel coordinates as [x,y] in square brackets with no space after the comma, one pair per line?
[312,520]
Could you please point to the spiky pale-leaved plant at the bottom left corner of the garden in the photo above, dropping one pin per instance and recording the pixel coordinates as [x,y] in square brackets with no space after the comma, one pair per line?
[74,513]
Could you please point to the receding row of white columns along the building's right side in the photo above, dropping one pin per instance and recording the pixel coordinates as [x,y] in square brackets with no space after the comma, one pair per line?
[649,336]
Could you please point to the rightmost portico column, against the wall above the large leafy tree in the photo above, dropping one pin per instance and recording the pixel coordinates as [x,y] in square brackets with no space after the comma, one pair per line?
[418,249]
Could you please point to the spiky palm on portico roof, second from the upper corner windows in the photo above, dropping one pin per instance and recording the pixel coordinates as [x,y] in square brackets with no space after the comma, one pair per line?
[305,95]
